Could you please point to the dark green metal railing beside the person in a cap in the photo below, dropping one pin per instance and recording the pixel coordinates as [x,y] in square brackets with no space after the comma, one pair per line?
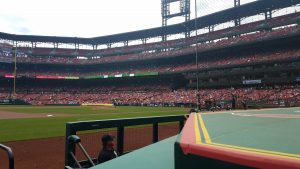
[73,127]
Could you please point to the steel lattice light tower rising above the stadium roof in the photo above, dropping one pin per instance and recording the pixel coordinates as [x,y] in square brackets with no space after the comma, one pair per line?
[184,11]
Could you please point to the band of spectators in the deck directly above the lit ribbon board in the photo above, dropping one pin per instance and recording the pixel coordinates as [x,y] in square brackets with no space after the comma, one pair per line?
[209,62]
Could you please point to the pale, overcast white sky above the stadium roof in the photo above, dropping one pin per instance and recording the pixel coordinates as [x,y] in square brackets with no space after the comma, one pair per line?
[91,18]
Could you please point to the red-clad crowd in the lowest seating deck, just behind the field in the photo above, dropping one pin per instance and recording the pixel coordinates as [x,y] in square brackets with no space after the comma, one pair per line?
[153,95]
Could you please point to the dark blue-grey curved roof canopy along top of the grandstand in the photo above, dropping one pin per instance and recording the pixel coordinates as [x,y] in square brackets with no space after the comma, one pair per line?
[246,10]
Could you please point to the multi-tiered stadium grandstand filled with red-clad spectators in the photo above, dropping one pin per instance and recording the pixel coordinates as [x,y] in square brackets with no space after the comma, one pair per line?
[248,56]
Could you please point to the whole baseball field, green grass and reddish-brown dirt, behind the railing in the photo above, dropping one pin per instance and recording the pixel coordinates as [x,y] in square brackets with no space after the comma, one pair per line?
[37,133]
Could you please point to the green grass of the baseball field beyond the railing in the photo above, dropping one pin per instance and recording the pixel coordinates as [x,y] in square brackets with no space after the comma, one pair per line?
[36,128]
